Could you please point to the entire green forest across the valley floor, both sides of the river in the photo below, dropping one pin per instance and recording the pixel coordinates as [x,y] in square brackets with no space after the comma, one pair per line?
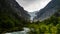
[48,26]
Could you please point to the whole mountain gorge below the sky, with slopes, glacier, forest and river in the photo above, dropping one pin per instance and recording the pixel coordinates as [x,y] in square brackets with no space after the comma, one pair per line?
[14,18]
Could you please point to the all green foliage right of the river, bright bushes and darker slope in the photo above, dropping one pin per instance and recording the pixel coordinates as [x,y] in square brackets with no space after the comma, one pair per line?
[48,26]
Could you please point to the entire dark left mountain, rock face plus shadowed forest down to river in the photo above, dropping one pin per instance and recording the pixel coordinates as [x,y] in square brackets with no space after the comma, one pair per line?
[12,16]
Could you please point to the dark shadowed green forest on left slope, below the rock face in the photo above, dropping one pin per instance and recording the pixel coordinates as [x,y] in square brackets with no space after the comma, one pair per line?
[10,22]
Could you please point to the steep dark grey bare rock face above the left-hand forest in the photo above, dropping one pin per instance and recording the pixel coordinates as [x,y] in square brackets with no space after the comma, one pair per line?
[14,7]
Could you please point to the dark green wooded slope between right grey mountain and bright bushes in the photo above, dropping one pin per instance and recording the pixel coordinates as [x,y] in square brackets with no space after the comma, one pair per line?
[54,19]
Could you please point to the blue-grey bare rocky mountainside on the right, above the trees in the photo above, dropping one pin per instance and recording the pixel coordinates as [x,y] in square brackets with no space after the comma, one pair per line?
[49,10]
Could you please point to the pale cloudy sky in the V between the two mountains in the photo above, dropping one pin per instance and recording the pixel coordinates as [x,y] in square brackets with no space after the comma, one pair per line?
[33,5]
